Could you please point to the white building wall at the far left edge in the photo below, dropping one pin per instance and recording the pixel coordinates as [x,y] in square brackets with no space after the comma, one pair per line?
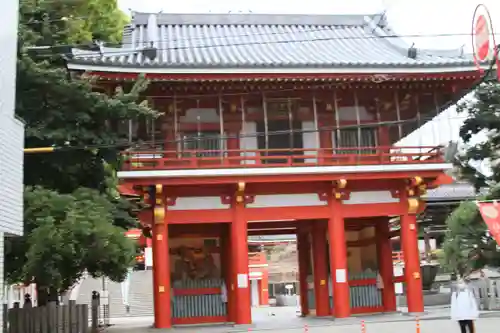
[11,132]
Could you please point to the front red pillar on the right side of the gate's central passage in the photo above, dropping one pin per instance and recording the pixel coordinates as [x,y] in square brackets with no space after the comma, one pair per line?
[338,260]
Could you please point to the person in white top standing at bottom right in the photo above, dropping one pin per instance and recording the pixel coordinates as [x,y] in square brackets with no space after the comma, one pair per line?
[464,308]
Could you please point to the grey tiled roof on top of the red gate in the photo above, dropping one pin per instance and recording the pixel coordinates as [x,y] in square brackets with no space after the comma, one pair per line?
[264,41]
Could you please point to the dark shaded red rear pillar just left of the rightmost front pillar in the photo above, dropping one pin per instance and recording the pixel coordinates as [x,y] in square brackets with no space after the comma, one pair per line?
[385,266]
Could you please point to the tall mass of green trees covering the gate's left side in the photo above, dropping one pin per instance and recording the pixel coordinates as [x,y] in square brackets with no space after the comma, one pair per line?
[74,218]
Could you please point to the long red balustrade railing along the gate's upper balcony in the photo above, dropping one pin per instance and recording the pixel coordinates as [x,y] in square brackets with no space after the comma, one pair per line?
[209,159]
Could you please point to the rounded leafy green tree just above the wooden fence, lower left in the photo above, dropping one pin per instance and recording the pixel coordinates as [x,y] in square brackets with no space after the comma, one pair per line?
[65,235]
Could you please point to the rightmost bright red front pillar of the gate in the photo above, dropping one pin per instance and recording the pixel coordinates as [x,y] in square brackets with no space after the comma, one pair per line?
[409,239]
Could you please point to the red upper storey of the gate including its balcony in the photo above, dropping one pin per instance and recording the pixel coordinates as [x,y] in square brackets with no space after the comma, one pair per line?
[302,132]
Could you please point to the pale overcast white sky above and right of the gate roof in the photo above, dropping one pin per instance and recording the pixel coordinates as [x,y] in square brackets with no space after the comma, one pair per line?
[405,17]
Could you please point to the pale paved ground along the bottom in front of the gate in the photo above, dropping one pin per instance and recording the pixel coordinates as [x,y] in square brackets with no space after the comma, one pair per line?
[285,318]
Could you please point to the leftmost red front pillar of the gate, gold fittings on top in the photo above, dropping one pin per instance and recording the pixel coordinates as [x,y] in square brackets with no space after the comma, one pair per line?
[161,264]
